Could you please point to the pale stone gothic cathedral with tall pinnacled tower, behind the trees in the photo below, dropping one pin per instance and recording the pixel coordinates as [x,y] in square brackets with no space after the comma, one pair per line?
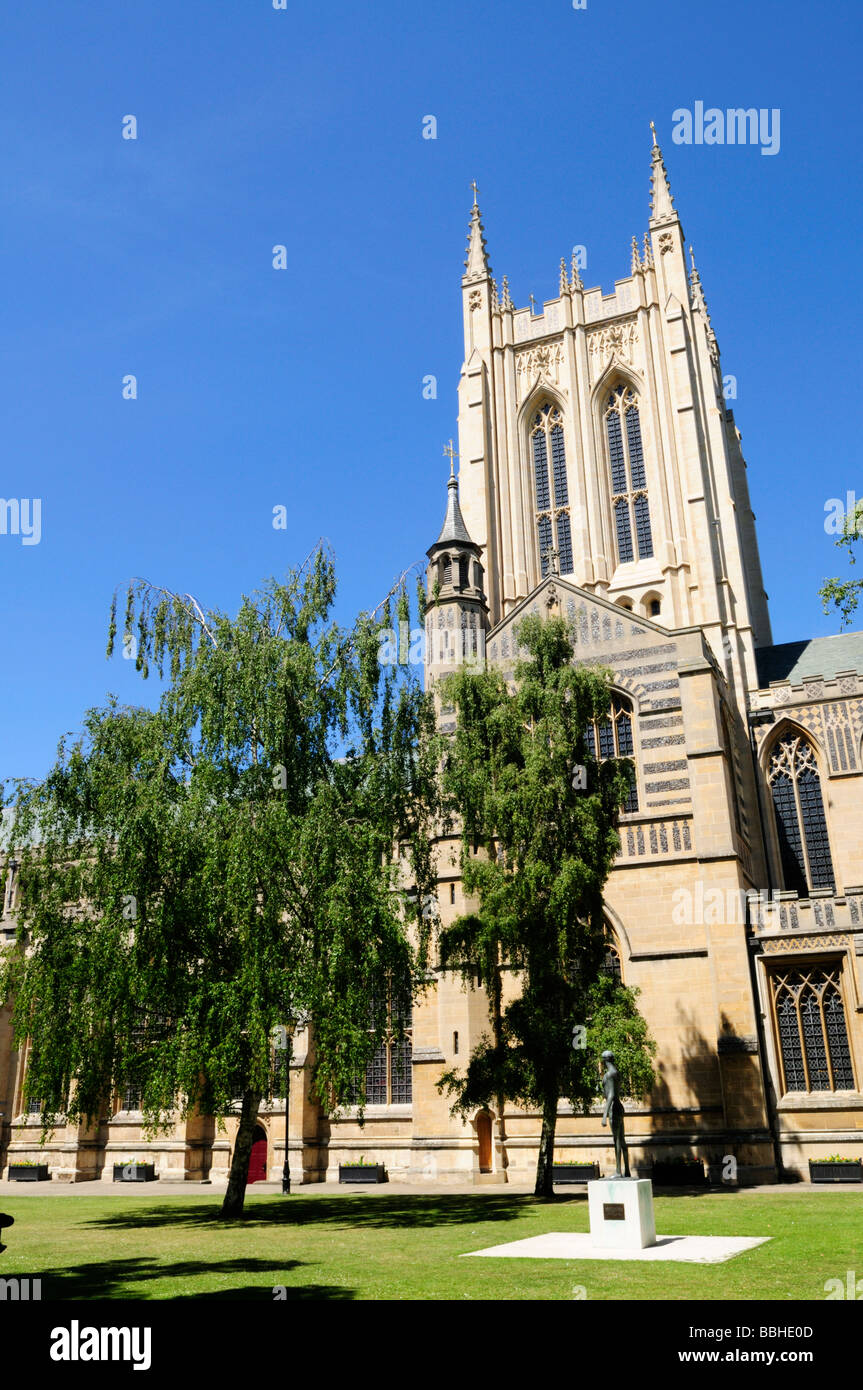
[601,477]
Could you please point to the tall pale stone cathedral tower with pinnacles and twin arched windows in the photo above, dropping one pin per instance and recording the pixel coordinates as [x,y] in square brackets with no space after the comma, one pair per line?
[622,394]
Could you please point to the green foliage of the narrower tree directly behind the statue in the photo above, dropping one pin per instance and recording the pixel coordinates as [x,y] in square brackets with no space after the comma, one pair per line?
[536,854]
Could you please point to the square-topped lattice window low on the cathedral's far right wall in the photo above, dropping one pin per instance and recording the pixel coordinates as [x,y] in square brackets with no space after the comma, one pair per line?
[811,1029]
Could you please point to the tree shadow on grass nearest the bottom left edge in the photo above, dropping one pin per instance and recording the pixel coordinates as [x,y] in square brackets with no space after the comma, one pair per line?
[129,1281]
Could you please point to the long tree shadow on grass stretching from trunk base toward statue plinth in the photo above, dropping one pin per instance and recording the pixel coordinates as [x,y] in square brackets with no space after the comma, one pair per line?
[369,1213]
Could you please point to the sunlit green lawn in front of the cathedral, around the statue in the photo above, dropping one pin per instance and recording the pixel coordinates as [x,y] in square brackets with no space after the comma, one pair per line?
[408,1248]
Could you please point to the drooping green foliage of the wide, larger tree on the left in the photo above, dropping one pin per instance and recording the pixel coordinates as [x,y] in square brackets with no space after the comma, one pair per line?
[195,875]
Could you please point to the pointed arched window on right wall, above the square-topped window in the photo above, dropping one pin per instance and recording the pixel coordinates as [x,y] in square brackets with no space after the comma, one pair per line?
[801,825]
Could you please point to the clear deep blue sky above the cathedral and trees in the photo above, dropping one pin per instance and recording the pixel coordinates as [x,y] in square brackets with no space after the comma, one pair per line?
[305,387]
